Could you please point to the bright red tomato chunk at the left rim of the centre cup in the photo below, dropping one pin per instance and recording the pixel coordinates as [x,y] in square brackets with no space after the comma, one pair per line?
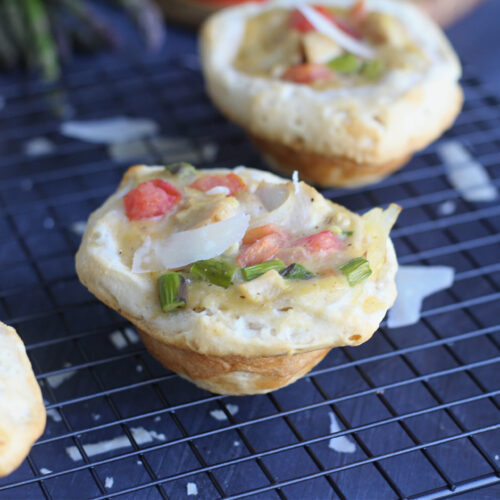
[151,199]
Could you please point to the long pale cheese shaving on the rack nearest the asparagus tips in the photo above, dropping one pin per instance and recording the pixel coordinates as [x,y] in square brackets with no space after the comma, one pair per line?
[113,130]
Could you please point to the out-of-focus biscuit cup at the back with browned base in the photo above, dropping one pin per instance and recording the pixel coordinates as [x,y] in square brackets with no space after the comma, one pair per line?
[351,131]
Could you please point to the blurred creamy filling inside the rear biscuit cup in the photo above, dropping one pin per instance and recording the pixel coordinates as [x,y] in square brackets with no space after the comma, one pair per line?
[282,44]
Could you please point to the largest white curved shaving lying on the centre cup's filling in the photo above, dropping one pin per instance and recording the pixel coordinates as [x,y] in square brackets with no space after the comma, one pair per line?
[186,247]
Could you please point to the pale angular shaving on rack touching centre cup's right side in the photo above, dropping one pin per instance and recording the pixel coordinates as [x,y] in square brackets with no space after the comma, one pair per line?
[414,283]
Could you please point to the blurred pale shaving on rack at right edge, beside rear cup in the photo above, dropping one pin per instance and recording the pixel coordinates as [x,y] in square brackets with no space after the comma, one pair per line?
[465,174]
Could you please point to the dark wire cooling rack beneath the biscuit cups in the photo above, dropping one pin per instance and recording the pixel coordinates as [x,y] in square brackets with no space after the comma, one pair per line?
[417,408]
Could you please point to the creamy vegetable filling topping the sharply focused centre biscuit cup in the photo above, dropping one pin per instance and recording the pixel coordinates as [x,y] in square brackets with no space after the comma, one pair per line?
[320,236]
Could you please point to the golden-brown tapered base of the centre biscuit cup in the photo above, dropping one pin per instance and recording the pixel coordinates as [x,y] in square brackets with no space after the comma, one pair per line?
[235,375]
